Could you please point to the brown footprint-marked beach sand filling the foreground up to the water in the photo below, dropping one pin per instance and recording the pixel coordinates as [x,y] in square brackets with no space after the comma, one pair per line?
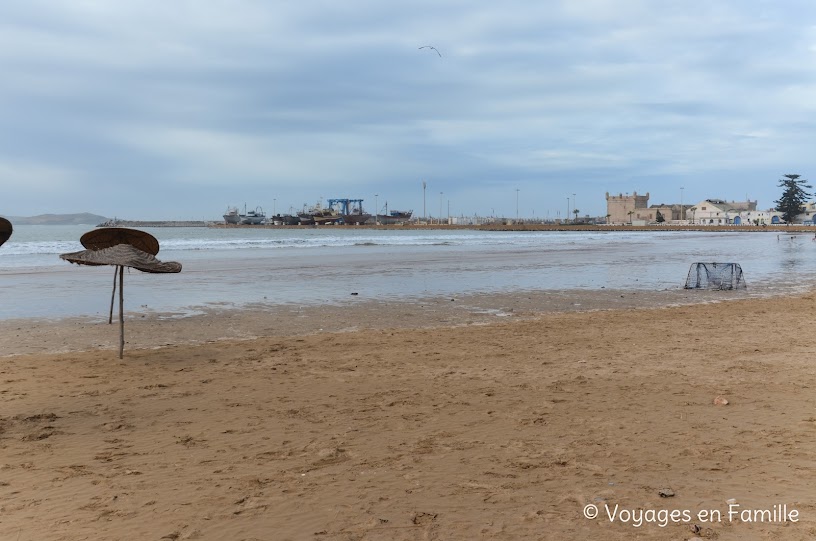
[503,425]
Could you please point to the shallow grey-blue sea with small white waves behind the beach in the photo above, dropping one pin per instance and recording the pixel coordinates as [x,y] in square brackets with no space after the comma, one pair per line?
[233,268]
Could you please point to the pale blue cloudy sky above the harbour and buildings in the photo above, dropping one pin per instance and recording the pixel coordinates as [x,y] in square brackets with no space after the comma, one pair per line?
[156,109]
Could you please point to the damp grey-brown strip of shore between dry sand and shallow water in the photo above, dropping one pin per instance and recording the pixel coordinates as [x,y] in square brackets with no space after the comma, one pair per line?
[154,329]
